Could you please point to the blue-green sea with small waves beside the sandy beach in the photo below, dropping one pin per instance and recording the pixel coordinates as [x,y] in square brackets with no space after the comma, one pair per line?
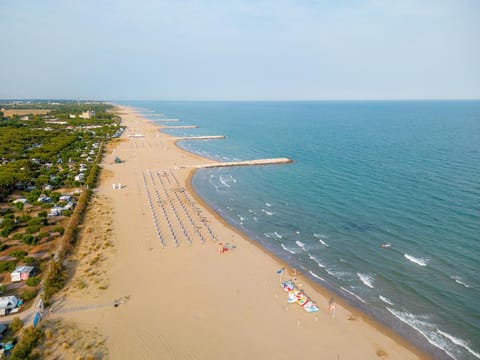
[381,205]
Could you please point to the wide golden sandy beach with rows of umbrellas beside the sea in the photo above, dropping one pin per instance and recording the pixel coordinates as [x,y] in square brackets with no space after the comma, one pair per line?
[185,301]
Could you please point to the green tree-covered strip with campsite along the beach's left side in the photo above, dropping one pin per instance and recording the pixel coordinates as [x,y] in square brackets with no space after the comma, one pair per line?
[47,162]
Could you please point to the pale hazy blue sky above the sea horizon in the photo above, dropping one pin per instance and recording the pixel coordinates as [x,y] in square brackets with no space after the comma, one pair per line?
[240,49]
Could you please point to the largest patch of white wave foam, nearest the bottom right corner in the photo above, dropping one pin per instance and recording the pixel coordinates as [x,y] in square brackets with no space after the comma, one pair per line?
[425,328]
